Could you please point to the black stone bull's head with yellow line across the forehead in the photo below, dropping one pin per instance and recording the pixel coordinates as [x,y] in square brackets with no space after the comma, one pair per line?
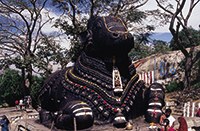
[107,36]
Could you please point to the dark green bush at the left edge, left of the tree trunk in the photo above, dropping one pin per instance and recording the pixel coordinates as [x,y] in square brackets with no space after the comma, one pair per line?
[10,87]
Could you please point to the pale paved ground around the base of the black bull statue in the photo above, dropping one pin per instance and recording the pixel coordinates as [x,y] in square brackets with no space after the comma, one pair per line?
[31,121]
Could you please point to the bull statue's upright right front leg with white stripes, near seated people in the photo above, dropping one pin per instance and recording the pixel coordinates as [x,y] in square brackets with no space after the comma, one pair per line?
[155,101]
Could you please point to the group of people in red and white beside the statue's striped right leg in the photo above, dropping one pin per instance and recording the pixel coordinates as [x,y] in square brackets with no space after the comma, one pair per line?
[167,122]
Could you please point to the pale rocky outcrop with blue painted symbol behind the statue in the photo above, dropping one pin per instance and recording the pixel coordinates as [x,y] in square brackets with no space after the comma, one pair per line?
[167,66]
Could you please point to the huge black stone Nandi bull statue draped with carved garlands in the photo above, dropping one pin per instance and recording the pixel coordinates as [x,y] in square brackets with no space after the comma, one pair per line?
[102,87]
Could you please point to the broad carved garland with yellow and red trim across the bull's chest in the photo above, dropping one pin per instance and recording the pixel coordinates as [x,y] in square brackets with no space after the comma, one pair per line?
[97,94]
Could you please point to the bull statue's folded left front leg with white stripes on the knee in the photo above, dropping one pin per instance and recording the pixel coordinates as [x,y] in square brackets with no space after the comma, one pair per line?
[75,111]
